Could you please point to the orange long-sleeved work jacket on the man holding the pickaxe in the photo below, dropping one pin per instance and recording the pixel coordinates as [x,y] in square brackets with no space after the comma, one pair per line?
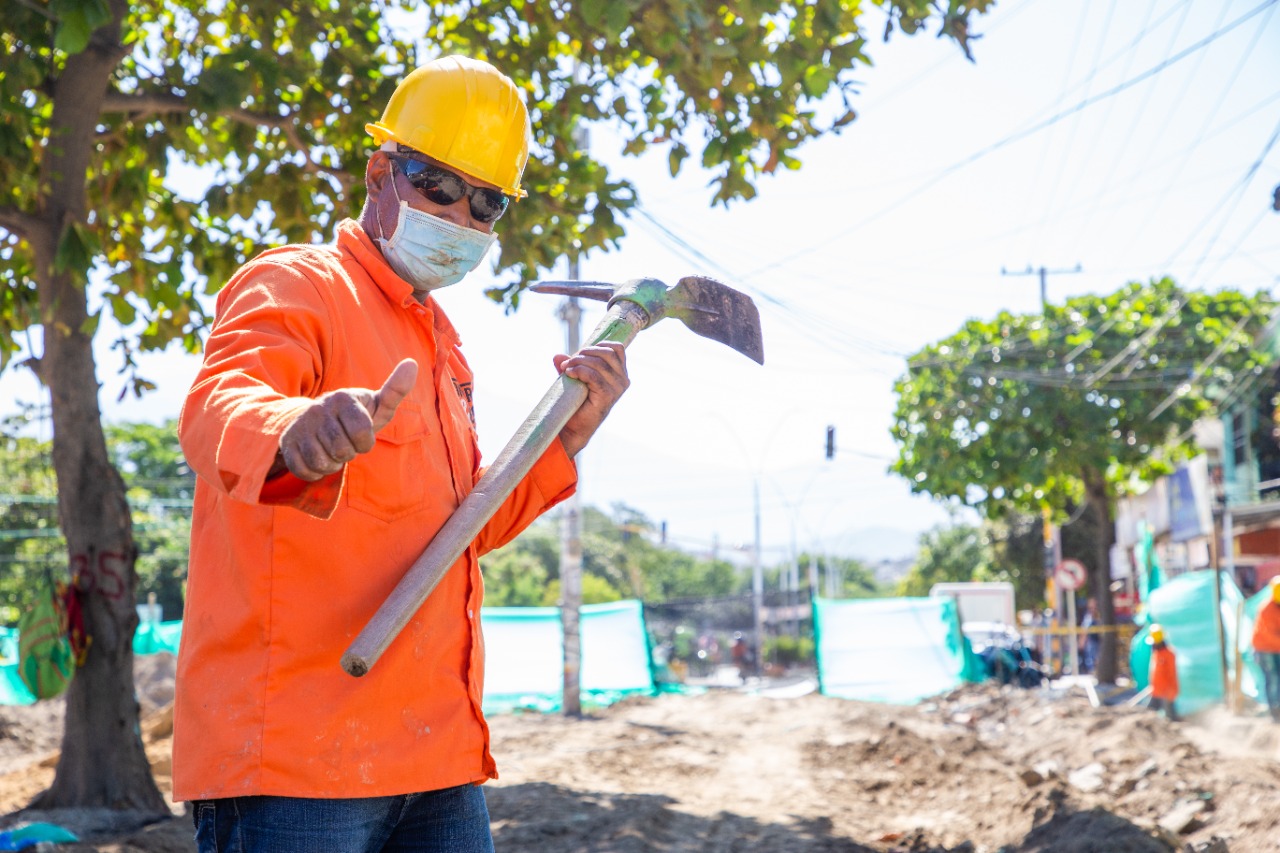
[285,574]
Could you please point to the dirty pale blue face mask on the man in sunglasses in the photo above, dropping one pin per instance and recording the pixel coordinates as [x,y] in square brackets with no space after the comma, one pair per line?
[429,253]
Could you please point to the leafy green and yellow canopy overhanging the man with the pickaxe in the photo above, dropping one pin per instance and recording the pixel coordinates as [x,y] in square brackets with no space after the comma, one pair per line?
[269,102]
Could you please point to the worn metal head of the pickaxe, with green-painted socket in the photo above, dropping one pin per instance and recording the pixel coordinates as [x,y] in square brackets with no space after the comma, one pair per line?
[708,308]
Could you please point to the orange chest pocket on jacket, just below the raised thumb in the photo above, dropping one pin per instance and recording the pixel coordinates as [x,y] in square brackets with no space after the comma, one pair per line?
[390,482]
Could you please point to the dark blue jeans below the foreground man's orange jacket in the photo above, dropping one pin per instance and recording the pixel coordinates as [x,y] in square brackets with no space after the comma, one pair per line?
[455,820]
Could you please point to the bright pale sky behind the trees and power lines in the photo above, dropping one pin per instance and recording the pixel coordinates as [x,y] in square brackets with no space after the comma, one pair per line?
[1132,139]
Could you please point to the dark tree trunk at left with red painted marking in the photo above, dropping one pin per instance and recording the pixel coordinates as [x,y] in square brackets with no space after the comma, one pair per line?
[103,763]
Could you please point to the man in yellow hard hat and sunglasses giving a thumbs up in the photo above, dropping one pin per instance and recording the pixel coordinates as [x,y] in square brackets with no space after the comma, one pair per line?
[333,435]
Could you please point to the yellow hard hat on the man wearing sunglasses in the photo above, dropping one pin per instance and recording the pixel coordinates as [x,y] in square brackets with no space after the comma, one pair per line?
[467,115]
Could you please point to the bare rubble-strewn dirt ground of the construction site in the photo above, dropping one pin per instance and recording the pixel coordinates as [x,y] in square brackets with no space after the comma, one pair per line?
[780,769]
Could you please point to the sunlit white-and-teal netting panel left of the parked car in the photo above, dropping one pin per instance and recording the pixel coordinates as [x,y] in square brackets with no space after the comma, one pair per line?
[890,650]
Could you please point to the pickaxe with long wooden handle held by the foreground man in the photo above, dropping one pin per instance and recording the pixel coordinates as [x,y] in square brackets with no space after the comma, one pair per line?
[708,308]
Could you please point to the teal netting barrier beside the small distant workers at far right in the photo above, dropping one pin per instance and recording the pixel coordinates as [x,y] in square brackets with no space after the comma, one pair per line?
[1185,608]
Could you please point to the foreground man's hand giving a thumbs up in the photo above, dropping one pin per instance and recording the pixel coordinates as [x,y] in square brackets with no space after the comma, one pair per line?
[340,426]
